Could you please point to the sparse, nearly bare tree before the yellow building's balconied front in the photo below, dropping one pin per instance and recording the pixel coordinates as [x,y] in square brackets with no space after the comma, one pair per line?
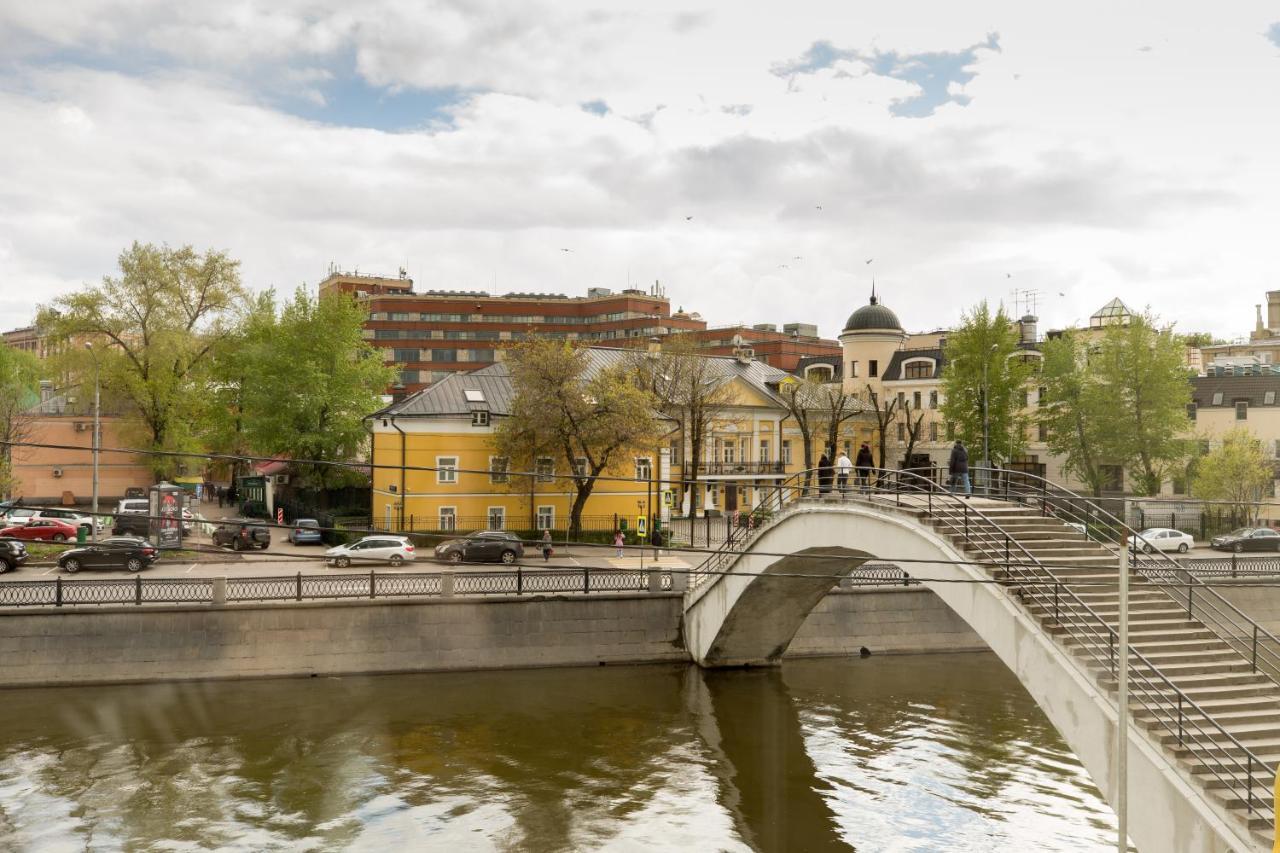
[689,389]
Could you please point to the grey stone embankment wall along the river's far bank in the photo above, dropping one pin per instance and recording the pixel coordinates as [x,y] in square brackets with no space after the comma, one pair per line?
[113,645]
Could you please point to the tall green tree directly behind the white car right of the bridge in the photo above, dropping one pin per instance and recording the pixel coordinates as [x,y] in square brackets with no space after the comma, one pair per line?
[1144,382]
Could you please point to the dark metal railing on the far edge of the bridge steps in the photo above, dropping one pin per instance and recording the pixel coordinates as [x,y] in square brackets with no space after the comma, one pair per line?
[1182,583]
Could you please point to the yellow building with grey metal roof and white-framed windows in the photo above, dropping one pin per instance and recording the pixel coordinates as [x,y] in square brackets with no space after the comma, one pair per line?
[436,468]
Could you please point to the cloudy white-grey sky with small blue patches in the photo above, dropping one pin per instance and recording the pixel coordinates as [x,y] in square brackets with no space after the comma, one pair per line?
[765,162]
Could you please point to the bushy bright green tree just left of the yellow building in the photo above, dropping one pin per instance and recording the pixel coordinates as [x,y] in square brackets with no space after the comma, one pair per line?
[300,381]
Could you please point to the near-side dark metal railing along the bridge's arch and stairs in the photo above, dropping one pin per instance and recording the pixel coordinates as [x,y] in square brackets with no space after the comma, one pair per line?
[1172,714]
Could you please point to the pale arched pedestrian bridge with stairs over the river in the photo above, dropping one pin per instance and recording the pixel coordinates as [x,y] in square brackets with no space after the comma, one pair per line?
[1205,728]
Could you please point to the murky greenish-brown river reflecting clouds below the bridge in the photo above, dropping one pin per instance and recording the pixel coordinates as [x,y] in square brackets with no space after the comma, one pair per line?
[941,752]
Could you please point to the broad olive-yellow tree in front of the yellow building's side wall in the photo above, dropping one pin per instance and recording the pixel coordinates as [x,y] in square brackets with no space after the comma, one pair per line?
[589,414]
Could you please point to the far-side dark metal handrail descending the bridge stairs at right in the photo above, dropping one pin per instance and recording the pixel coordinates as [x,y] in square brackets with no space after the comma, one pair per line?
[1264,646]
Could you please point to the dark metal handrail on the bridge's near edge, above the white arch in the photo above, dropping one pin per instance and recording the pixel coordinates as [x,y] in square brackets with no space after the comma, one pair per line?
[1080,621]
